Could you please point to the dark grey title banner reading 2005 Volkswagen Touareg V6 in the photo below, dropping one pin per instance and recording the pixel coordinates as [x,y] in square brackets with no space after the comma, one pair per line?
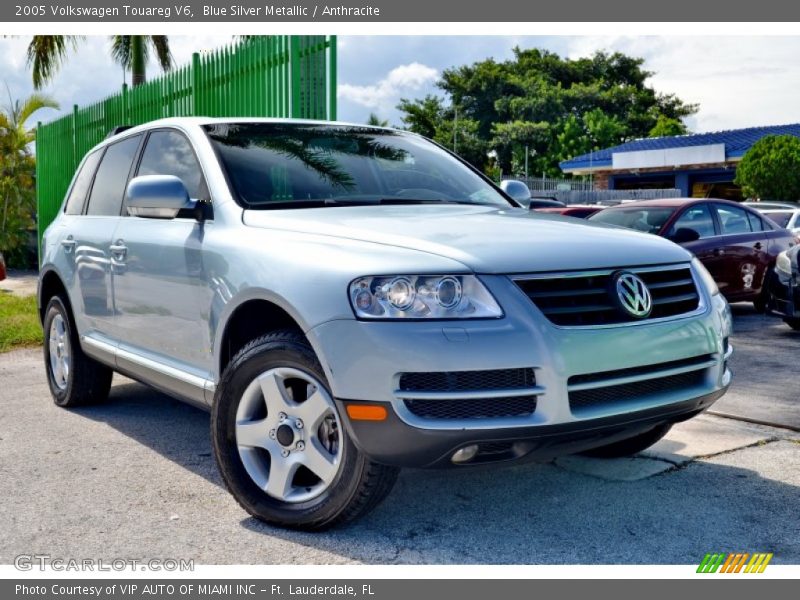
[394,11]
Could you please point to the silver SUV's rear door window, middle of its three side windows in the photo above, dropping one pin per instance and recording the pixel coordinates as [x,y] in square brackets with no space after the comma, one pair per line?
[112,176]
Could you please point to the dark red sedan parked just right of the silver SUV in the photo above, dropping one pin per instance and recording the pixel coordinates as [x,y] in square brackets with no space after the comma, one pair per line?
[735,243]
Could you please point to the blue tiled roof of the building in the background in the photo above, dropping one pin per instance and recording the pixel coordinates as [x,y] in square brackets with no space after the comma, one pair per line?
[736,141]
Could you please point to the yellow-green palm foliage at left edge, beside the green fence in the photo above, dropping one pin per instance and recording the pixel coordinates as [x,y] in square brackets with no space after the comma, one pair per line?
[17,172]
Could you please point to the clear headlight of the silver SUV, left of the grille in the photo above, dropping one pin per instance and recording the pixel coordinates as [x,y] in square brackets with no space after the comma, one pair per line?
[422,297]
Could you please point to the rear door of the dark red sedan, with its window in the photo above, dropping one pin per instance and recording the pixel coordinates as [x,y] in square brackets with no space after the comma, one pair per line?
[745,248]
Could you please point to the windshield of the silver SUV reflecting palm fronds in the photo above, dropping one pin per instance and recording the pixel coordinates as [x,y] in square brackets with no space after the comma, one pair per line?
[272,165]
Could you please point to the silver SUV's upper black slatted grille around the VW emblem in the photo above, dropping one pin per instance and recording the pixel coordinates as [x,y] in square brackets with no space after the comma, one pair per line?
[585,299]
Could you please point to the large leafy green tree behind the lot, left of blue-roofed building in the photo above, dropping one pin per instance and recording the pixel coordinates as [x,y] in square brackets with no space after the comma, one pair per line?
[554,106]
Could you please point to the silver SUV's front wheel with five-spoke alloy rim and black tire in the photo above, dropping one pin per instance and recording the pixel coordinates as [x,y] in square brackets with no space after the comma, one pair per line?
[323,479]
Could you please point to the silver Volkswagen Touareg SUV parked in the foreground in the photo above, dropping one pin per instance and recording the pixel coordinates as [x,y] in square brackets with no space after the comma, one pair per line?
[349,300]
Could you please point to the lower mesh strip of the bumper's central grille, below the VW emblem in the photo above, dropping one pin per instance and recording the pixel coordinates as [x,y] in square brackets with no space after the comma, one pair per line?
[620,394]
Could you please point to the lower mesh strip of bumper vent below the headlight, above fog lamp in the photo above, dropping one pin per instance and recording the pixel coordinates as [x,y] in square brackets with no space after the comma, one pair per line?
[473,408]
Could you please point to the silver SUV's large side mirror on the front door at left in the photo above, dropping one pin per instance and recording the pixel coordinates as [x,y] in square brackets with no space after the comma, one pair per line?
[156,197]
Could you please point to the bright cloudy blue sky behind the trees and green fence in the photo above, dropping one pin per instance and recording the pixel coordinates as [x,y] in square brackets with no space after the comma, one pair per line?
[737,81]
